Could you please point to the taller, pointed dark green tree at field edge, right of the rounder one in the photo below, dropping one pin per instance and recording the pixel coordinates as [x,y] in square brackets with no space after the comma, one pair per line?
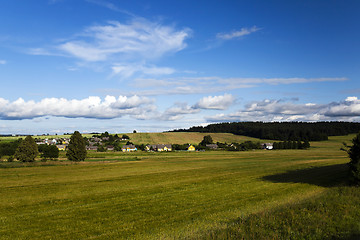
[77,148]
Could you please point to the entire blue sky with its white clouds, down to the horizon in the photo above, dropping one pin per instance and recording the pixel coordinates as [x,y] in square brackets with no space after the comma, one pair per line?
[106,65]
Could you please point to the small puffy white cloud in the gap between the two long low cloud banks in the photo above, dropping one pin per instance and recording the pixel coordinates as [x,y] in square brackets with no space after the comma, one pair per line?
[216,102]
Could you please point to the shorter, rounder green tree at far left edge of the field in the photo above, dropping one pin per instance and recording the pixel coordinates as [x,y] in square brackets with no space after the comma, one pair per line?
[27,150]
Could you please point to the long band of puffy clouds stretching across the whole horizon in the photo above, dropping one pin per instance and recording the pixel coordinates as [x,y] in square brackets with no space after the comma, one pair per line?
[144,108]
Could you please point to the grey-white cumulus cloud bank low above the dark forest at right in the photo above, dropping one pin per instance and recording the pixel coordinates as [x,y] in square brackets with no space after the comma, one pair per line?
[280,110]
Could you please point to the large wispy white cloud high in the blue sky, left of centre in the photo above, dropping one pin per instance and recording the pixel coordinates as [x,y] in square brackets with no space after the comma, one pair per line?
[137,39]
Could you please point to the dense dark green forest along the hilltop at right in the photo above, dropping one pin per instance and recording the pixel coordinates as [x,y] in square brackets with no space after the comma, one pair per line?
[284,131]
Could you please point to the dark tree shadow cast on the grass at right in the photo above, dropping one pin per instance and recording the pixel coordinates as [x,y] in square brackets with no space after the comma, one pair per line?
[326,176]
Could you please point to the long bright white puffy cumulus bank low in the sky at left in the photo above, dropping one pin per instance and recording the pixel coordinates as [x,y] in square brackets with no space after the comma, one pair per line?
[91,107]
